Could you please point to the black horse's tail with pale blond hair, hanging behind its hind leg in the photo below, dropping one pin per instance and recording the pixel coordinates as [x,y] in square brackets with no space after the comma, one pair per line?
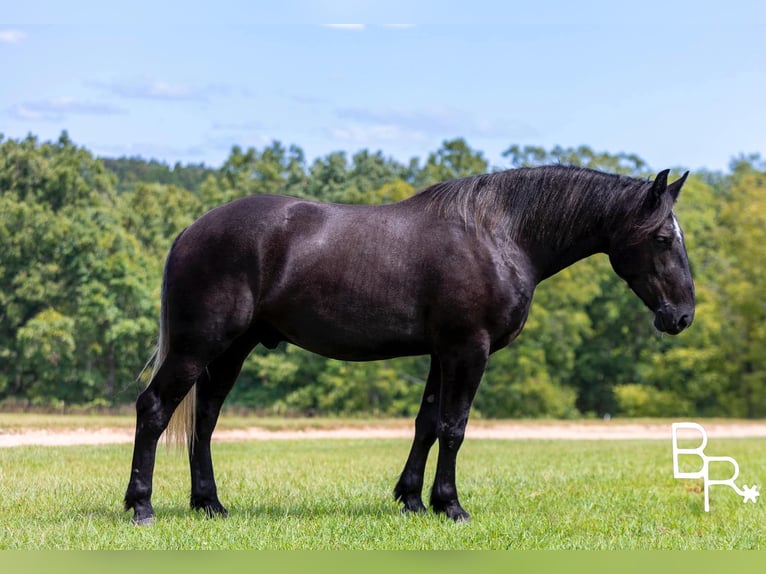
[180,429]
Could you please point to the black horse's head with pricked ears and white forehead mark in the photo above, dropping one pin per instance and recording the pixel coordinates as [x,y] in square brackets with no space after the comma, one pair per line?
[654,261]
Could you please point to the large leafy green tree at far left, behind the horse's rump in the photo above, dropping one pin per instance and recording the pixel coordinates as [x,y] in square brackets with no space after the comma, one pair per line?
[74,284]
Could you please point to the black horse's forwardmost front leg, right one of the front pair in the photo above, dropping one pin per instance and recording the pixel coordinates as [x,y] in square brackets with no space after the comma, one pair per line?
[461,373]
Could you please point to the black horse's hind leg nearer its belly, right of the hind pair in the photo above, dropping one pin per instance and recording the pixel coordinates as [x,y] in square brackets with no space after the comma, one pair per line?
[212,388]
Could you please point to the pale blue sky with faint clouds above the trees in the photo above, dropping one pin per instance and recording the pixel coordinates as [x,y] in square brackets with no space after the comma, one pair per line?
[681,84]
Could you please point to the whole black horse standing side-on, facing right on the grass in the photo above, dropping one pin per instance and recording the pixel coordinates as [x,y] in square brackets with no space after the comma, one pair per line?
[449,272]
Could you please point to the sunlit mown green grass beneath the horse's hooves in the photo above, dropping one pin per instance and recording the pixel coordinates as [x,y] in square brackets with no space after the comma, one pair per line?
[336,494]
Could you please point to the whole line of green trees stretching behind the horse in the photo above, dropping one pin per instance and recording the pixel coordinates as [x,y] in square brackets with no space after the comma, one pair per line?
[84,241]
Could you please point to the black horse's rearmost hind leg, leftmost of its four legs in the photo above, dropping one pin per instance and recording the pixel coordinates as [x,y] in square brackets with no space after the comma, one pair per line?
[153,410]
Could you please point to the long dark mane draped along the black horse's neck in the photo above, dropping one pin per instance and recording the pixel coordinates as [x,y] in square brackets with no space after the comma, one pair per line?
[551,202]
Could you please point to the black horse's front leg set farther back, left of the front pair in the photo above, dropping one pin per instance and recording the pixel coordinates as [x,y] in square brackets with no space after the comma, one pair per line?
[410,486]
